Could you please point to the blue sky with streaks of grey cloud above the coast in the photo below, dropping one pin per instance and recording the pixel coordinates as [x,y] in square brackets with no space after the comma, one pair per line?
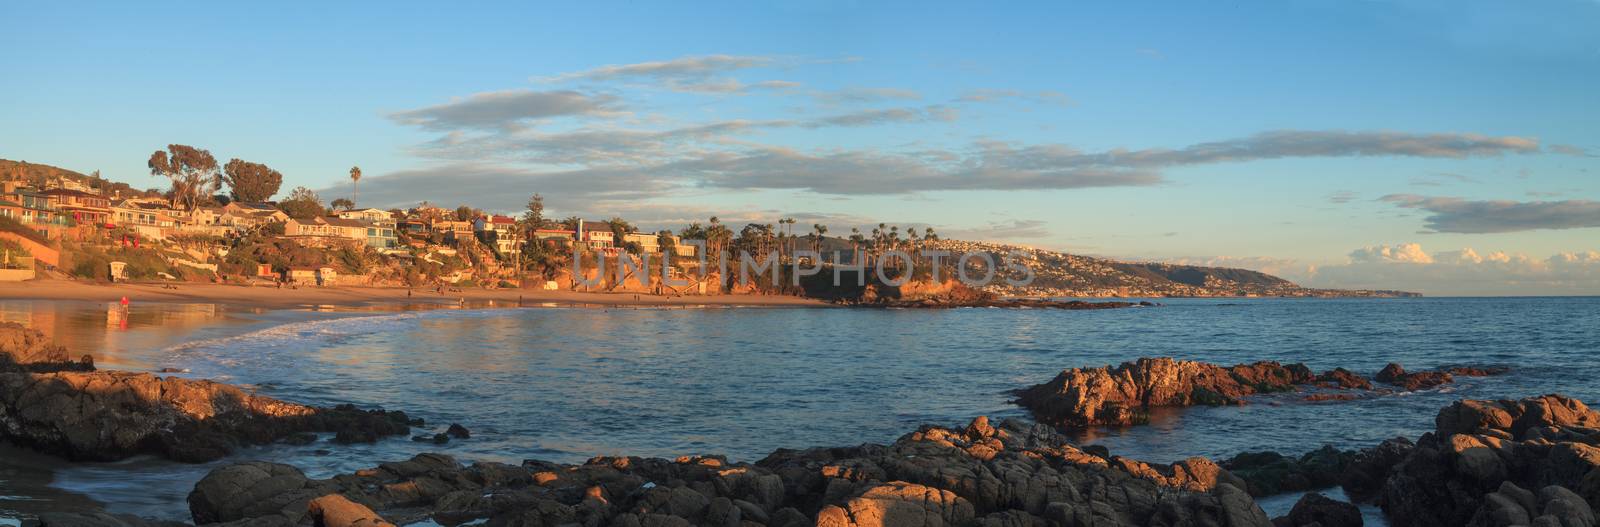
[1337,143]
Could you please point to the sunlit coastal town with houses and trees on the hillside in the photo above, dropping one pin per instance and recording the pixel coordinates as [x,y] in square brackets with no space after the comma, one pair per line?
[220,227]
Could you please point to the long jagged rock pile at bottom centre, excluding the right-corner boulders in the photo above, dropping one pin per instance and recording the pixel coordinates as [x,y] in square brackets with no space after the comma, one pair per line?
[1009,473]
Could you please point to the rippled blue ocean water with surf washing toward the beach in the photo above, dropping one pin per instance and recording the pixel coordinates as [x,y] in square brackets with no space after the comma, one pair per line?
[570,384]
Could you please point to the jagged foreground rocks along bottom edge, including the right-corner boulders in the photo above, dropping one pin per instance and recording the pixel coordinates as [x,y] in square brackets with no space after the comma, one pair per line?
[1489,464]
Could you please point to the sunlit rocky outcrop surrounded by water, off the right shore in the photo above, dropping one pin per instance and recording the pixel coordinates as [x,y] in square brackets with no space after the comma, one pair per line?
[1126,395]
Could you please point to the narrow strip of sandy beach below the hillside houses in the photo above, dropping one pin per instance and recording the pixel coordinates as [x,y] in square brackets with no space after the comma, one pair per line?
[281,299]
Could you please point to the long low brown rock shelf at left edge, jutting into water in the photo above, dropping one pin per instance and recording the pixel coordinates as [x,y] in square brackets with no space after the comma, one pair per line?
[113,416]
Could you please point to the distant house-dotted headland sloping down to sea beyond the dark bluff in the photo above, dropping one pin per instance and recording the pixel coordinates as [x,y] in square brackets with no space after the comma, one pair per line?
[1062,275]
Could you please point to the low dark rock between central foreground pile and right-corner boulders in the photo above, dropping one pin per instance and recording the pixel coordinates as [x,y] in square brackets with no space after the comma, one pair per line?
[1271,473]
